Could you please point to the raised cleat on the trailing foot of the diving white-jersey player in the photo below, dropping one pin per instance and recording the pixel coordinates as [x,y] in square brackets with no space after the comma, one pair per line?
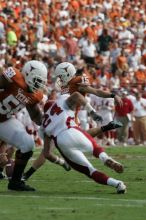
[116,166]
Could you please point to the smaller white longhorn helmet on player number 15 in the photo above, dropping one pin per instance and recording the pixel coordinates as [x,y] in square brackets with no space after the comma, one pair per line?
[65,72]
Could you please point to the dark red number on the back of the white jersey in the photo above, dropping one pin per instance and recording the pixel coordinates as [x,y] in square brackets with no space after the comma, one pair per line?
[54,110]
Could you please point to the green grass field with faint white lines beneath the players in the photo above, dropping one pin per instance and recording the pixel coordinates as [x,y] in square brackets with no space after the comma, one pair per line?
[72,196]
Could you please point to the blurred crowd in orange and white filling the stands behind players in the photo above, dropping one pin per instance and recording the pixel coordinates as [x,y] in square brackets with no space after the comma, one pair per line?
[106,39]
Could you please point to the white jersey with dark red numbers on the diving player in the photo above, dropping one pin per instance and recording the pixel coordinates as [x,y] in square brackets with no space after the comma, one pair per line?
[57,117]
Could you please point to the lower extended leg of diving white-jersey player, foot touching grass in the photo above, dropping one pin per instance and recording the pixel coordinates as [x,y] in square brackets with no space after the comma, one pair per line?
[78,161]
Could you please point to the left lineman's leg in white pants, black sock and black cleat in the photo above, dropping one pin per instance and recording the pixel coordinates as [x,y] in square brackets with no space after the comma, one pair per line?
[13,132]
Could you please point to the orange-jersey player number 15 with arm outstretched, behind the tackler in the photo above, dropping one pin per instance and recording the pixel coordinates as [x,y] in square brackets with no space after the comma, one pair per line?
[69,82]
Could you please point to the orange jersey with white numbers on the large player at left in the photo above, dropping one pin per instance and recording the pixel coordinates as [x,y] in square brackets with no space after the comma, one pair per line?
[16,96]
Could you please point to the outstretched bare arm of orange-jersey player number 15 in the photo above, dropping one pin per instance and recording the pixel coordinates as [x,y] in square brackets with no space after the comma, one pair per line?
[100,93]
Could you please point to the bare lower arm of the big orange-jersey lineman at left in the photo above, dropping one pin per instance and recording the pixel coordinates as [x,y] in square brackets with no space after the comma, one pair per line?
[35,113]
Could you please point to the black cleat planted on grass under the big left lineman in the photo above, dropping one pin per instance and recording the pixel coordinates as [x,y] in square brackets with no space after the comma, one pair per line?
[19,186]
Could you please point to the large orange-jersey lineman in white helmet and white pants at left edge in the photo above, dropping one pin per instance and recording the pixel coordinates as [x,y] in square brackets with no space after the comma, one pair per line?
[19,90]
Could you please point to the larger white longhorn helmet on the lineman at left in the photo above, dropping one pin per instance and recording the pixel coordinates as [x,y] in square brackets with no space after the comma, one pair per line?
[35,74]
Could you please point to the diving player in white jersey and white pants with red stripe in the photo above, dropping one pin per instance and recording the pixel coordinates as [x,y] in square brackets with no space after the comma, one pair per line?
[72,142]
